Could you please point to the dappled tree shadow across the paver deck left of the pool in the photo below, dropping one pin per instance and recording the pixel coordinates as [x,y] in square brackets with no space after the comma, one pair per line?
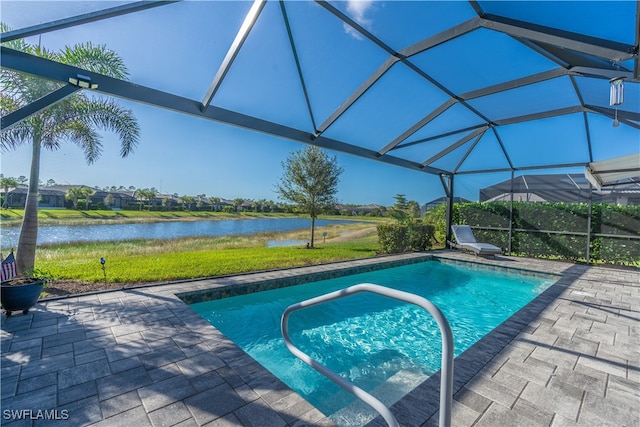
[134,358]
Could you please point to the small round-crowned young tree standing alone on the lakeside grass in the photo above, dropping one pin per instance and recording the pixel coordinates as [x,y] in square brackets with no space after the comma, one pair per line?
[310,181]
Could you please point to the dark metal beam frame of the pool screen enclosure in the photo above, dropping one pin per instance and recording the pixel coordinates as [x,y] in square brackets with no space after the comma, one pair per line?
[560,46]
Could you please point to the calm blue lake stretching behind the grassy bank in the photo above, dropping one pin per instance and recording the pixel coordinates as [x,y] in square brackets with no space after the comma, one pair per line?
[162,230]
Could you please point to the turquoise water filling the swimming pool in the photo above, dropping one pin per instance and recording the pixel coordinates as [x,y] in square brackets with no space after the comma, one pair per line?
[384,346]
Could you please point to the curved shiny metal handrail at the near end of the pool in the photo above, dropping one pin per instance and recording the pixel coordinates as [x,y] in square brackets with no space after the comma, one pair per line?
[446,379]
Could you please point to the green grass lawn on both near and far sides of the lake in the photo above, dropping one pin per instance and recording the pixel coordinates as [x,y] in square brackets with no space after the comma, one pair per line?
[152,261]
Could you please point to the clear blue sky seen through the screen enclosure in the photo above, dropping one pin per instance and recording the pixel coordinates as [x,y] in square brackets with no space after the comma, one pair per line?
[186,155]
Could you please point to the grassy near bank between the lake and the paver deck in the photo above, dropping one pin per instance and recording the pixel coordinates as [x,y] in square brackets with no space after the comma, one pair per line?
[77,269]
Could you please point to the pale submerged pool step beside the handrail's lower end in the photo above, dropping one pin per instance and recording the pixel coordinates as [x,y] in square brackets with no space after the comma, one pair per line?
[359,413]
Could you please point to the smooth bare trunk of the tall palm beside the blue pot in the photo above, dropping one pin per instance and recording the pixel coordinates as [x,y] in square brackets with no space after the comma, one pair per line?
[26,252]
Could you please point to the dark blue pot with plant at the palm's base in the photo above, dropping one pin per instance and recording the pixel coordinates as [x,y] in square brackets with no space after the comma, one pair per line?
[22,292]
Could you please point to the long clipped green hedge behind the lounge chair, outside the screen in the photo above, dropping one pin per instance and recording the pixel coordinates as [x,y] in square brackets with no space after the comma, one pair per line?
[557,220]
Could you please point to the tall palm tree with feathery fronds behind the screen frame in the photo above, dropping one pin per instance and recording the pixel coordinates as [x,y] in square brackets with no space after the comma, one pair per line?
[75,119]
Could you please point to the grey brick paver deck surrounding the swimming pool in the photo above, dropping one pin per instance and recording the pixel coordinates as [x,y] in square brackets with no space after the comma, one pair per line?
[140,357]
